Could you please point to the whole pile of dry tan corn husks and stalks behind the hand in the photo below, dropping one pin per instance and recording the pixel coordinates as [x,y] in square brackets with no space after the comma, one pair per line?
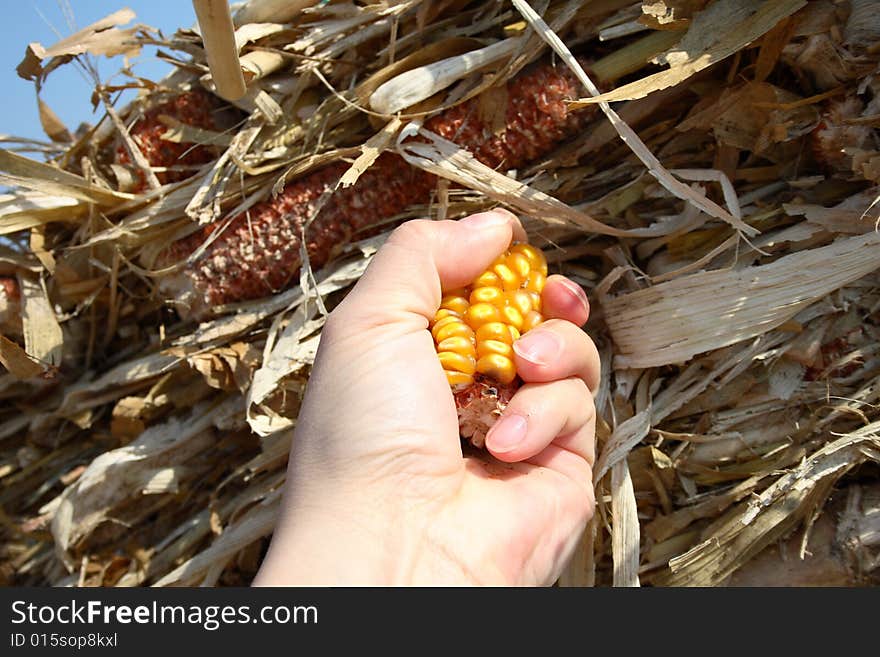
[718,200]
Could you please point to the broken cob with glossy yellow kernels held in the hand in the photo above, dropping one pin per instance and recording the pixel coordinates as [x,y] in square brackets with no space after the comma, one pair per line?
[474,331]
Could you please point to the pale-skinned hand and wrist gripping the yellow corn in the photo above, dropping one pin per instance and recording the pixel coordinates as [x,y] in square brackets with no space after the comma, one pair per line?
[378,491]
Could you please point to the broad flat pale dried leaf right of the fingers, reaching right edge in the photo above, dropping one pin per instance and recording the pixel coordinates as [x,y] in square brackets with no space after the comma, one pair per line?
[710,310]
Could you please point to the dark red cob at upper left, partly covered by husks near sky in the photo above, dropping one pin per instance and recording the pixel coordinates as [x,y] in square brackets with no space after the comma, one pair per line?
[192,108]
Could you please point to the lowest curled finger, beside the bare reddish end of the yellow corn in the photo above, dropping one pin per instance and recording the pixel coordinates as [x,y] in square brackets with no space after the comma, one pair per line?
[560,413]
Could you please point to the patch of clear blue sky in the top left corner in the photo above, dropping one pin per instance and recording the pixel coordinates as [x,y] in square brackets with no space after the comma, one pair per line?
[66,91]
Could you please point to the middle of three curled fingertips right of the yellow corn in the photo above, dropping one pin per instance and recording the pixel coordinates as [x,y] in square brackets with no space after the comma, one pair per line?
[557,349]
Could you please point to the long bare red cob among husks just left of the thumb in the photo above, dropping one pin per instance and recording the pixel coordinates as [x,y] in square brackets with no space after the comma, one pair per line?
[259,253]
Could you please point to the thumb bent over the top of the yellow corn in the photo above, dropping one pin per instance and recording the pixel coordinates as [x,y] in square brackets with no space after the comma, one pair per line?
[422,257]
